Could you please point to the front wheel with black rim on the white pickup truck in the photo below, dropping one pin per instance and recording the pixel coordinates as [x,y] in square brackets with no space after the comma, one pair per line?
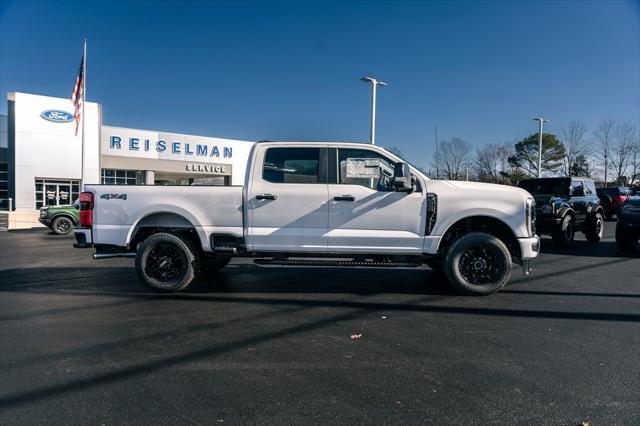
[477,264]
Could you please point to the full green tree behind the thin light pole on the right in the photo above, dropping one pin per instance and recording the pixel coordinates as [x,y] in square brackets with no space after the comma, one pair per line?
[526,156]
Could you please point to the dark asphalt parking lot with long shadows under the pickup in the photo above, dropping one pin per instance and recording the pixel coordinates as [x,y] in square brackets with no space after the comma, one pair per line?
[84,343]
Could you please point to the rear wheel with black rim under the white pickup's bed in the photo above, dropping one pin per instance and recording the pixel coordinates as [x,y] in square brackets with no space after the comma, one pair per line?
[166,263]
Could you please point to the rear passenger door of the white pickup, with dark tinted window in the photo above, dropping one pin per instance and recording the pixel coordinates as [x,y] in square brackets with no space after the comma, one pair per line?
[287,205]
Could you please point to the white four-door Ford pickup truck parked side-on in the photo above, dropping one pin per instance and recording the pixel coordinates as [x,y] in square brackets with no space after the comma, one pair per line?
[312,203]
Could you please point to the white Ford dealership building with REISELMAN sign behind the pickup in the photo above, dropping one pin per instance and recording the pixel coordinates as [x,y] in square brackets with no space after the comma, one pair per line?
[41,156]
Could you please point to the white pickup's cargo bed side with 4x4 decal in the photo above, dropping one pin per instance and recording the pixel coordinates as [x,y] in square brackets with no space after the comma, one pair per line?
[119,209]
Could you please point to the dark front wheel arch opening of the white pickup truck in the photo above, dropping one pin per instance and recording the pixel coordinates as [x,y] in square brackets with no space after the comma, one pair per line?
[481,223]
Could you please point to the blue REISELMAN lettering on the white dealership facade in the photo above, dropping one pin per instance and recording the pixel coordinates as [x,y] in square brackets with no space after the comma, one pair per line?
[171,147]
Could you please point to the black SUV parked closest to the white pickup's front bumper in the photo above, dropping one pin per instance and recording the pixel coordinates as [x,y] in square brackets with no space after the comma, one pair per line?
[565,205]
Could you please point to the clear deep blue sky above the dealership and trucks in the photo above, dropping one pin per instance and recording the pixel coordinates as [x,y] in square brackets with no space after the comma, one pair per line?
[290,70]
